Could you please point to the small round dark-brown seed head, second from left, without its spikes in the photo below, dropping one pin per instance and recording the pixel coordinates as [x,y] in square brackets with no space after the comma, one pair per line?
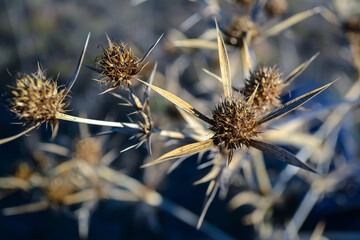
[118,65]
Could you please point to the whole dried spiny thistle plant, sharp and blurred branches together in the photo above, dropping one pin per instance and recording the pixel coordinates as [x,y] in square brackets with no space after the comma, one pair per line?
[235,127]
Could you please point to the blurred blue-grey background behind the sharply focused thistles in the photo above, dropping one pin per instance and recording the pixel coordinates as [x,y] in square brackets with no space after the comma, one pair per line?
[322,207]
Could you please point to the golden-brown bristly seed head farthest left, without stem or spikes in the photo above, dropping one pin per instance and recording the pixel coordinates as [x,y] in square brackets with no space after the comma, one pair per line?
[37,99]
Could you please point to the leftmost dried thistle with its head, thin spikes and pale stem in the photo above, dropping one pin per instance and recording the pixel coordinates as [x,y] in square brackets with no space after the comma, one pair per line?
[38,100]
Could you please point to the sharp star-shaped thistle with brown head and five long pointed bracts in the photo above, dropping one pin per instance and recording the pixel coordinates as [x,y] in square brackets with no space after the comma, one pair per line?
[235,123]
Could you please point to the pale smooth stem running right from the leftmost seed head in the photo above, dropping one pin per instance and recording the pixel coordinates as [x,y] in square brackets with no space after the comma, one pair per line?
[70,118]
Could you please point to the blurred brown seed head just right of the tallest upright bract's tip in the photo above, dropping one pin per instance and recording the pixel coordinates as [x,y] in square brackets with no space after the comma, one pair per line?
[239,25]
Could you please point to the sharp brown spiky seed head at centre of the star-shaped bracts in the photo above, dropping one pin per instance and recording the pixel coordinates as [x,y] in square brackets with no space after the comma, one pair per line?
[234,123]
